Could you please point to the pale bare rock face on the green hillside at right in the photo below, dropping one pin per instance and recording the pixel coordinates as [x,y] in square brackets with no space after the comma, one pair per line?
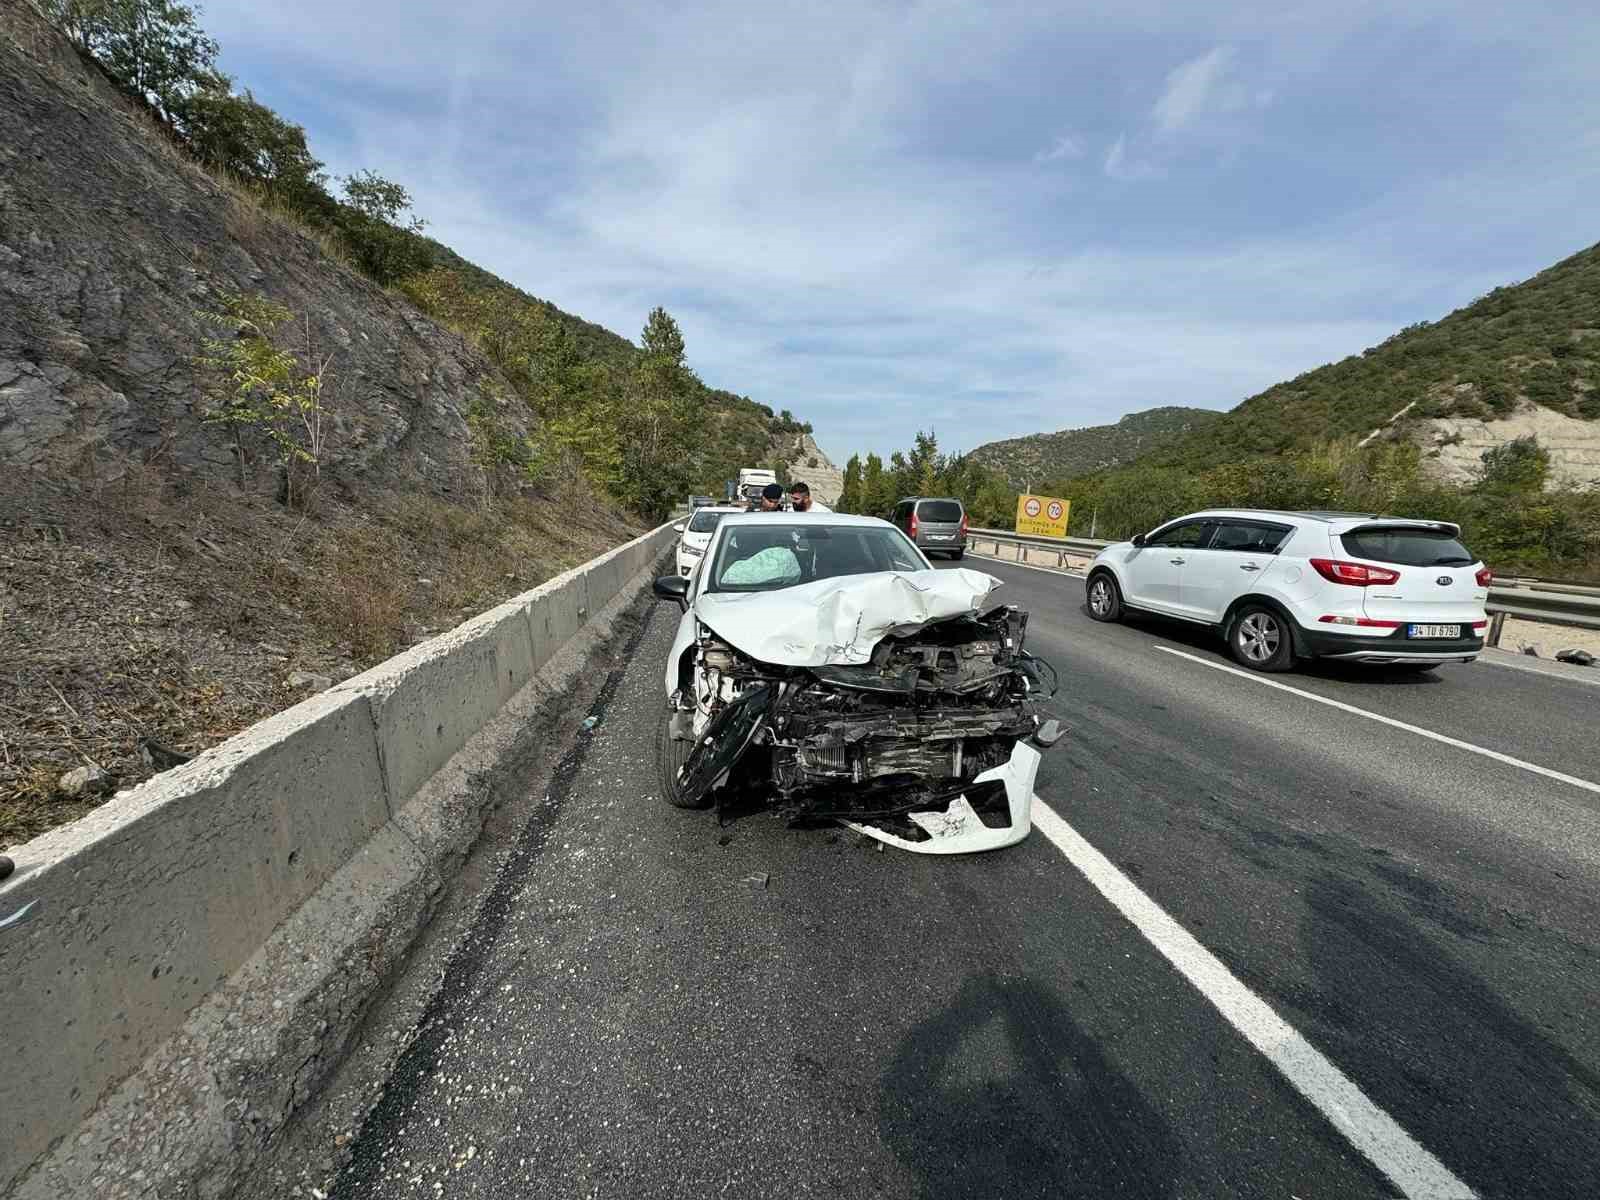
[1454,447]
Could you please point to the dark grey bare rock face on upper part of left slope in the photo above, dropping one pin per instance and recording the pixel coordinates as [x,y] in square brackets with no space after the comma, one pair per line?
[111,242]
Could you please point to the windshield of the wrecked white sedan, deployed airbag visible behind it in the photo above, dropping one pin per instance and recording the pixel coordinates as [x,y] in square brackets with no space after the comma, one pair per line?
[772,556]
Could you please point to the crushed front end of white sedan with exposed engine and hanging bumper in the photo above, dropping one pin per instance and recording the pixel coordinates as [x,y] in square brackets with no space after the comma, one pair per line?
[932,745]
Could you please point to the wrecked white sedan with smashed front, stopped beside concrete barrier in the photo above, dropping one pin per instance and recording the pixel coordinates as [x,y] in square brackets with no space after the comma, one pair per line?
[825,665]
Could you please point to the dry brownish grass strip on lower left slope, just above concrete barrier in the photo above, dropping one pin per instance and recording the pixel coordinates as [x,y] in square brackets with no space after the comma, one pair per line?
[143,606]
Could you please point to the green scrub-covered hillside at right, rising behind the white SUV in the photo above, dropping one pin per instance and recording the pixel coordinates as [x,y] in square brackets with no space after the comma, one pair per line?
[1527,345]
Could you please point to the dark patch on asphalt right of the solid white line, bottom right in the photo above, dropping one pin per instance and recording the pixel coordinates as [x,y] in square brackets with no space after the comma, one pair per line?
[1503,1105]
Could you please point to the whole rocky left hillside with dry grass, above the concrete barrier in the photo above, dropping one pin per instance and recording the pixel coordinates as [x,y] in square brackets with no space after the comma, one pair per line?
[169,577]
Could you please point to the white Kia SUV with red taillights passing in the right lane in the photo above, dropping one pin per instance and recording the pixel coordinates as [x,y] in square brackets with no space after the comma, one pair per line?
[1282,586]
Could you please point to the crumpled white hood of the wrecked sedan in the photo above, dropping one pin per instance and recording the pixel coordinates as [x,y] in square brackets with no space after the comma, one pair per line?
[839,622]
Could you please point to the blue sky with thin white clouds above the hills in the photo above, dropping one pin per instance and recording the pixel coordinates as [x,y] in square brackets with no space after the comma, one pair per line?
[982,218]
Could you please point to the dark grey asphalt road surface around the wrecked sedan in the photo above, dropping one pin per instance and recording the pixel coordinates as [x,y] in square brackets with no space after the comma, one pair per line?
[1324,954]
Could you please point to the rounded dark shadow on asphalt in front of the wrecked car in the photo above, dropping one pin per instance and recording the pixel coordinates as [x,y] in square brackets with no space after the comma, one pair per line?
[1002,1095]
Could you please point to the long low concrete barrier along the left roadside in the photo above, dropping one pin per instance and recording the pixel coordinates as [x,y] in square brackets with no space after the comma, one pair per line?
[201,948]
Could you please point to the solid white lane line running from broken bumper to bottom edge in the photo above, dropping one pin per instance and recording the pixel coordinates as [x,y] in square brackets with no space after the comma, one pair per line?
[1367,1127]
